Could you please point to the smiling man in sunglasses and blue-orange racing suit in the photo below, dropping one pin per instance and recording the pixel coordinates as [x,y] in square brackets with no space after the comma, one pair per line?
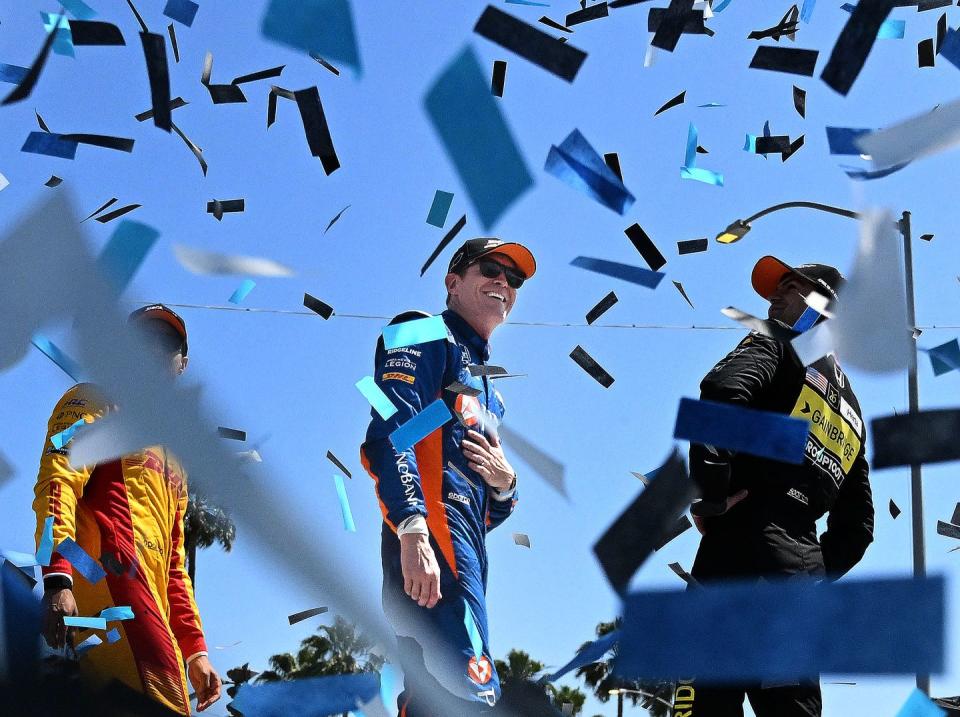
[440,497]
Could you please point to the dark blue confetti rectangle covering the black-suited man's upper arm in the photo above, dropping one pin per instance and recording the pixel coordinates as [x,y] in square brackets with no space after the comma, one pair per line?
[744,430]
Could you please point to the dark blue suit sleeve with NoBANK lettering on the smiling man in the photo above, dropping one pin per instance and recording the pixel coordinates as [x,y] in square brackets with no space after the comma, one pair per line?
[411,377]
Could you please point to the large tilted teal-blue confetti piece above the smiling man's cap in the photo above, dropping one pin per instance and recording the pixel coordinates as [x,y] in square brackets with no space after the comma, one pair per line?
[478,142]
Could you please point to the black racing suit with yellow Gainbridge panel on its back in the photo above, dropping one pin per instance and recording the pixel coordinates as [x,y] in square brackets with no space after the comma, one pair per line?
[772,532]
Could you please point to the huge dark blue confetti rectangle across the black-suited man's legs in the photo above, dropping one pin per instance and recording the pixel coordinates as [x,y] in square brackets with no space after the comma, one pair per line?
[884,626]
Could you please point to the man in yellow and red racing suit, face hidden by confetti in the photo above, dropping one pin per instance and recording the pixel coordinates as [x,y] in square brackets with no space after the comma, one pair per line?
[128,514]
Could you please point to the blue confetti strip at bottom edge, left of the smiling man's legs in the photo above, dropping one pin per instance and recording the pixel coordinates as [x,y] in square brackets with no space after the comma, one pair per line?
[308,696]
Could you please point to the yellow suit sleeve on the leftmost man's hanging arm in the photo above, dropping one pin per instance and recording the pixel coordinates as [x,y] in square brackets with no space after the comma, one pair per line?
[60,485]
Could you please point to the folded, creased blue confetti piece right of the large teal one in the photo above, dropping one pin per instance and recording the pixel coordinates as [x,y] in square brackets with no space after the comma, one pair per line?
[576,163]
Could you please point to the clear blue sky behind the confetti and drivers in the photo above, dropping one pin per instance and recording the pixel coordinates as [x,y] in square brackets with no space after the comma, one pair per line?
[291,377]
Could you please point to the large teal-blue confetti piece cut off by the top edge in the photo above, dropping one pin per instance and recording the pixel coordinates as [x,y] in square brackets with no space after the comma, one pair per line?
[321,26]
